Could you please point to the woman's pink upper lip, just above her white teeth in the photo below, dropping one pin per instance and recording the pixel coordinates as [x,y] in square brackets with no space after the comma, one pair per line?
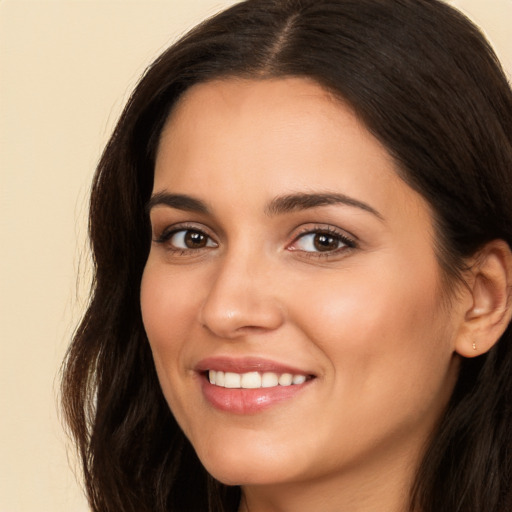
[245,365]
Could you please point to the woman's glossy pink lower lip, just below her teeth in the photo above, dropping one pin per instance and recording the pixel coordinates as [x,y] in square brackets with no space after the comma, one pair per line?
[248,401]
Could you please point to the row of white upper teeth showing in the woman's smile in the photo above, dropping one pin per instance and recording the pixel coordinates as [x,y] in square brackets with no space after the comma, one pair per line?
[253,380]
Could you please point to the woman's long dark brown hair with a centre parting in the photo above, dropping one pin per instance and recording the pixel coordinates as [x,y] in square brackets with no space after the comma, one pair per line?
[428,86]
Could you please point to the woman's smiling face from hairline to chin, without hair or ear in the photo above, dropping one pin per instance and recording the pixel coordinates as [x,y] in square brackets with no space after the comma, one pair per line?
[287,249]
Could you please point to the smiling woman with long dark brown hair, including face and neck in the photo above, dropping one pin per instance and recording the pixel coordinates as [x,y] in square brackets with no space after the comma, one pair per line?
[301,229]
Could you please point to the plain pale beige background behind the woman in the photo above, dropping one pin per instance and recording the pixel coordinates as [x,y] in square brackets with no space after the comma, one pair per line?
[66,68]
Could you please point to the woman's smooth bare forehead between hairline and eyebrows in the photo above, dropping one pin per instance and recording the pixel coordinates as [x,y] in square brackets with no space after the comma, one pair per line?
[260,138]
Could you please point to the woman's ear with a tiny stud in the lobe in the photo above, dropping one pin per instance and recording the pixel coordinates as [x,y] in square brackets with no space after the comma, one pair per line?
[490,310]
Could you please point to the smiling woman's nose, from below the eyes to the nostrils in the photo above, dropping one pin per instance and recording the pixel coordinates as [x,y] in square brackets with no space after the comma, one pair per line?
[242,299]
